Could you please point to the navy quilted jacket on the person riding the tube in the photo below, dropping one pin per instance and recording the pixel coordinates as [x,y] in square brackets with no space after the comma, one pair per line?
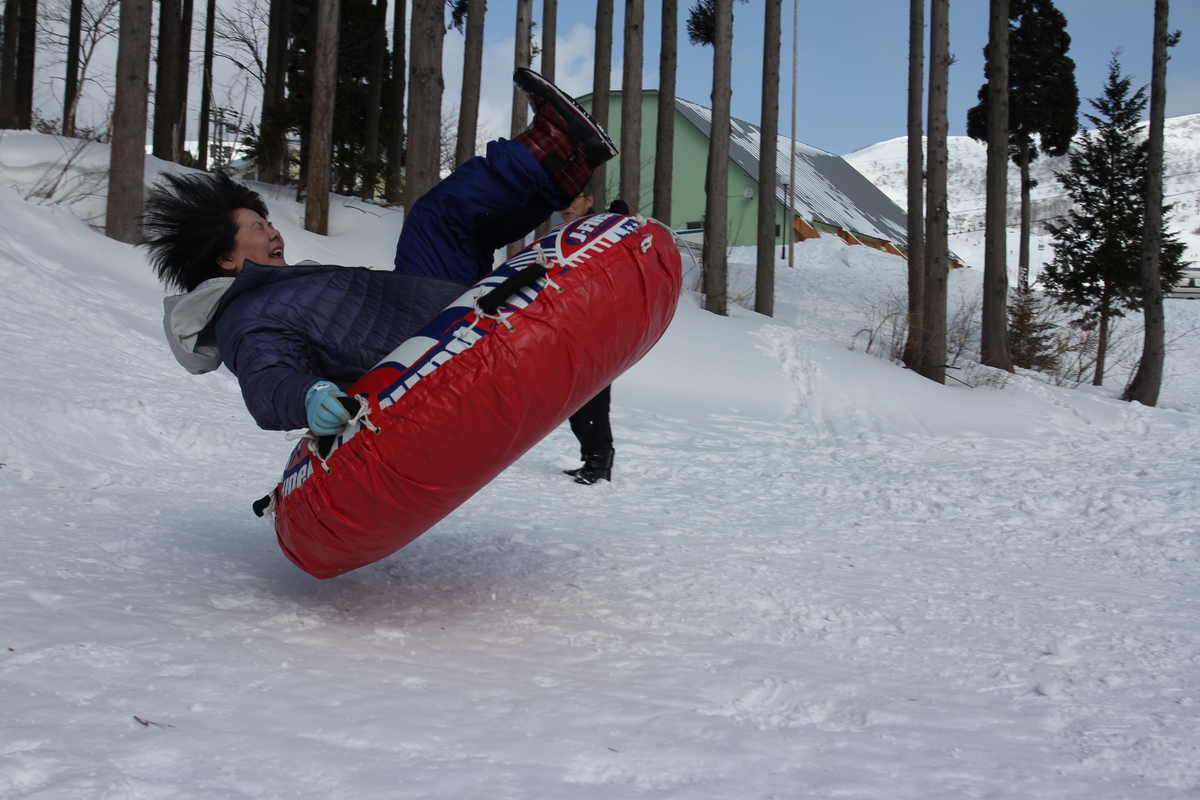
[281,329]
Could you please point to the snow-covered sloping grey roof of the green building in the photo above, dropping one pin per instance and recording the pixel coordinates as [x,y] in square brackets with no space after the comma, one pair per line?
[827,189]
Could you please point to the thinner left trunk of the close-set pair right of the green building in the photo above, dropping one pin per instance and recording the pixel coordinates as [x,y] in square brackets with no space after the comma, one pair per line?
[916,344]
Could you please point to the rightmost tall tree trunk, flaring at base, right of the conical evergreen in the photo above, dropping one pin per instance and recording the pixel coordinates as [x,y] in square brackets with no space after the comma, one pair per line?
[1149,380]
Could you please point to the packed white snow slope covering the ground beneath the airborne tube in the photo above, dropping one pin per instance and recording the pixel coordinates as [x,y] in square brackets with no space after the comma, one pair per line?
[815,575]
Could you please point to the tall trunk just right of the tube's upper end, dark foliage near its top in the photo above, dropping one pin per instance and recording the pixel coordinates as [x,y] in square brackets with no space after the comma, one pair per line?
[717,183]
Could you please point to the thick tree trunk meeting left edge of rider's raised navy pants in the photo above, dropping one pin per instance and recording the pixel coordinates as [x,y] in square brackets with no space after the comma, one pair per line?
[425,100]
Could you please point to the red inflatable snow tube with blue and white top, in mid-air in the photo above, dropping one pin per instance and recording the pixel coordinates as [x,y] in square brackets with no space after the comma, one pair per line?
[477,388]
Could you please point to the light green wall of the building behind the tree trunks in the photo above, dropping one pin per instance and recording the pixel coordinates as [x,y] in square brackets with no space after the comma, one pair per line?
[691,167]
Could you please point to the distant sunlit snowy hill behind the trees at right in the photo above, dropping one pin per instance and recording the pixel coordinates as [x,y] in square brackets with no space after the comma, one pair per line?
[886,166]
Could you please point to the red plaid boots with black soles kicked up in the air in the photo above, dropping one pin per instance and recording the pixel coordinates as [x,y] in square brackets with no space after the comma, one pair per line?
[565,139]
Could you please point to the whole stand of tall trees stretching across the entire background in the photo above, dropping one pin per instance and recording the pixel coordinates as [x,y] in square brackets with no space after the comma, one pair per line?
[346,111]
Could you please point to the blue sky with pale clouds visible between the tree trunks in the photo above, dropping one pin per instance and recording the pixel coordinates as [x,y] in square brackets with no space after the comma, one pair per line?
[853,61]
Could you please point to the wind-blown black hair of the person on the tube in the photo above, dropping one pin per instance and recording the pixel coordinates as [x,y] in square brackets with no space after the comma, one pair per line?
[189,225]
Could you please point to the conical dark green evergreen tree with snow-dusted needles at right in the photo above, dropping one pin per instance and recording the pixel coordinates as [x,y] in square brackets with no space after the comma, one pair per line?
[1096,269]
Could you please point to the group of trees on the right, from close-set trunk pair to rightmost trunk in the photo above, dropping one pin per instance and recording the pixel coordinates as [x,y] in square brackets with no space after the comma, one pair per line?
[1112,254]
